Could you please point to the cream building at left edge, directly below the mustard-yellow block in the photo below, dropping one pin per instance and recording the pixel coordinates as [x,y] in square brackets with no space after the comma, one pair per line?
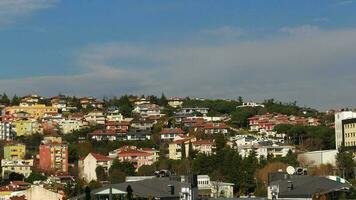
[23,167]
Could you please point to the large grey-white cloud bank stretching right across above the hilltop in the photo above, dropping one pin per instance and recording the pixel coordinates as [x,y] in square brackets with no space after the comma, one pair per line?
[315,69]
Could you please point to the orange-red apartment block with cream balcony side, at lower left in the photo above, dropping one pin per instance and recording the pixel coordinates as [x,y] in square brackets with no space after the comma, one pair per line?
[53,157]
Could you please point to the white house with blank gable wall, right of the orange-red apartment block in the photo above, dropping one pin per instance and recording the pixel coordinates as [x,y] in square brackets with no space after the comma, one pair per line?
[91,162]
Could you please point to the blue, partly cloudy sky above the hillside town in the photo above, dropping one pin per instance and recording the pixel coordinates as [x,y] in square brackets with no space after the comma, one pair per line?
[298,50]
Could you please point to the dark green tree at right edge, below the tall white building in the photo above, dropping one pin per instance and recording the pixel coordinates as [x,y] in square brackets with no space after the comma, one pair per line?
[345,163]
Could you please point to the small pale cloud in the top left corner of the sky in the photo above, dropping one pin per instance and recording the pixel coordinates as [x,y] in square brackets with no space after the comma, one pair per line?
[11,10]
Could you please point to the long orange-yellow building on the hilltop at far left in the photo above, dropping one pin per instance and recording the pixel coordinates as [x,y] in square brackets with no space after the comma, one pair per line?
[36,111]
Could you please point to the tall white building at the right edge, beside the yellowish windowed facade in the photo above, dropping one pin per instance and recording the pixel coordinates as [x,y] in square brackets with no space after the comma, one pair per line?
[339,116]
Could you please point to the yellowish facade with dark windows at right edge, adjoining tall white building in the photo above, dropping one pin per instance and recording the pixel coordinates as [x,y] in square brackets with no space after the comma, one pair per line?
[349,132]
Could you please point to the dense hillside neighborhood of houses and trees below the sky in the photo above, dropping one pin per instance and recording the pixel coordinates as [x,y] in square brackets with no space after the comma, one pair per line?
[84,147]
